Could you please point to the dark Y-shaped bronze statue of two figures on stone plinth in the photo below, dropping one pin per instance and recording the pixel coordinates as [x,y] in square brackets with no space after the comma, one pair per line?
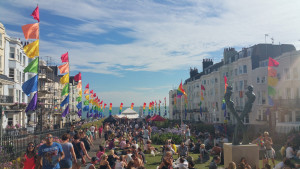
[240,126]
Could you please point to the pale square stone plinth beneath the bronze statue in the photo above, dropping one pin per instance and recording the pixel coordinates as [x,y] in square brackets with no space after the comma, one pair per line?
[236,152]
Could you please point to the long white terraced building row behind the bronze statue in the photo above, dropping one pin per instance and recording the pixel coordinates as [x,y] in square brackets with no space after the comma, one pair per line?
[244,68]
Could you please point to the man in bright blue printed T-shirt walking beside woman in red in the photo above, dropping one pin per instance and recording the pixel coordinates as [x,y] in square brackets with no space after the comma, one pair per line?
[51,153]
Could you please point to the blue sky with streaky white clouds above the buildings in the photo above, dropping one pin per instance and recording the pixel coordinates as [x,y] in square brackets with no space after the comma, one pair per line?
[136,51]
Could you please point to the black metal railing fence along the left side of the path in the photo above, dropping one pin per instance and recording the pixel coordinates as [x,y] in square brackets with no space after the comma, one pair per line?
[13,146]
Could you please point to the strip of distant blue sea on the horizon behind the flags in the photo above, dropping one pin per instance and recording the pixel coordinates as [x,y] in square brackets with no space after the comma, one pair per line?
[115,111]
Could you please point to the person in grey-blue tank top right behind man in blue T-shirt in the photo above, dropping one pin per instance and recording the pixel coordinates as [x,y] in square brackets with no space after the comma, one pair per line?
[68,149]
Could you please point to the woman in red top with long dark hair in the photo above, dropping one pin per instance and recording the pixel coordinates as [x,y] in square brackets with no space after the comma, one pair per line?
[29,159]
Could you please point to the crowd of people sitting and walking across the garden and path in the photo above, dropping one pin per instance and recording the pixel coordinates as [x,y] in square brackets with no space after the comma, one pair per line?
[128,142]
